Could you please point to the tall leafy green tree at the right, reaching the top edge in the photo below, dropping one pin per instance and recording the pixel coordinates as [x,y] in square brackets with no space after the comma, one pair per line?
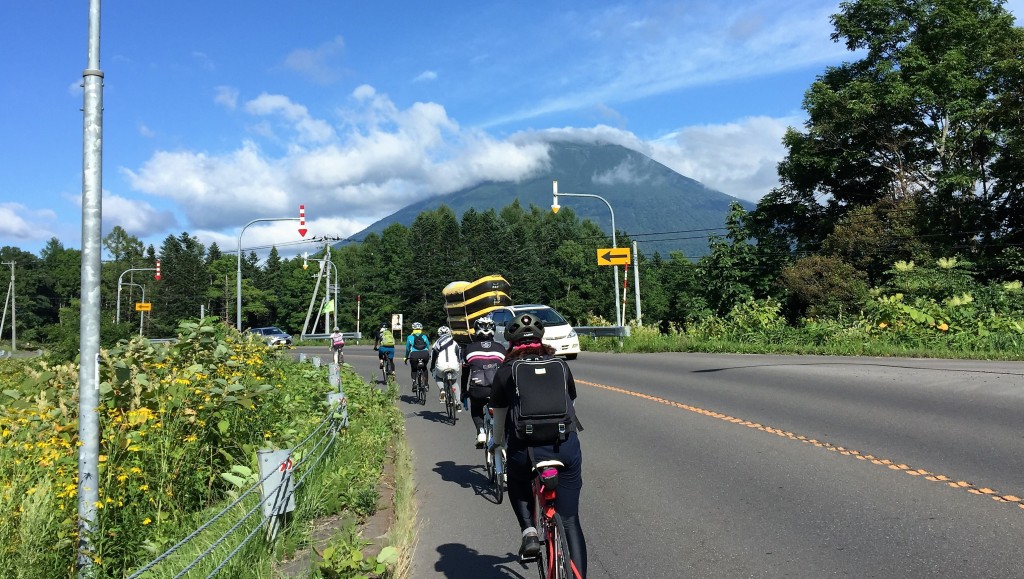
[921,115]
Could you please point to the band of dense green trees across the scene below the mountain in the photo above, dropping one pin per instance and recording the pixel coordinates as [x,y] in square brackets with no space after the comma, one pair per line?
[903,194]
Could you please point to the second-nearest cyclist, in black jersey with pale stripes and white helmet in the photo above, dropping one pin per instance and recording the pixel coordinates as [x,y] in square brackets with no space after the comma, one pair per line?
[481,360]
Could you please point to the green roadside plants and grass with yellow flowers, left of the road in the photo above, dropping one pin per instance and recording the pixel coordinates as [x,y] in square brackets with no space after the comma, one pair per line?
[181,425]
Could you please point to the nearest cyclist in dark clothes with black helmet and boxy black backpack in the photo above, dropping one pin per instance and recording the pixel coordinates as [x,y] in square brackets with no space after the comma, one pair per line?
[538,392]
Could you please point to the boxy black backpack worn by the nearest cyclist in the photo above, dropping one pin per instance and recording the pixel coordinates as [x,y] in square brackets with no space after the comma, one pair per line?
[543,413]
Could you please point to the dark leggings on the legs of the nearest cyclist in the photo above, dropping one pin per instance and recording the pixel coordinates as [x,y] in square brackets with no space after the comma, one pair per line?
[520,473]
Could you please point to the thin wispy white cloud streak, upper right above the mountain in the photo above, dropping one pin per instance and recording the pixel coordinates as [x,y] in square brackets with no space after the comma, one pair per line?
[684,46]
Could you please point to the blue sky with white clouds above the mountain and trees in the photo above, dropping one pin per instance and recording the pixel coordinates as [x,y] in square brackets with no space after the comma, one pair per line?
[220,113]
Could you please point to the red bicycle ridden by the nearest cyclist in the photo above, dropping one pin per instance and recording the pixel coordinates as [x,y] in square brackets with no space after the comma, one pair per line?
[554,562]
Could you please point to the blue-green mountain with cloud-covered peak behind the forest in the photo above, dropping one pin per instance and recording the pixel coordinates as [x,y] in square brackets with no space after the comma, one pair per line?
[647,197]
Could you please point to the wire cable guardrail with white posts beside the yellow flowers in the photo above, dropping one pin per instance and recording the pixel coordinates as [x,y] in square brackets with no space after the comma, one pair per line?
[278,495]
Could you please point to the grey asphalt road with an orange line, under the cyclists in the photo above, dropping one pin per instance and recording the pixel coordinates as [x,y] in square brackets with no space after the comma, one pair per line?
[711,466]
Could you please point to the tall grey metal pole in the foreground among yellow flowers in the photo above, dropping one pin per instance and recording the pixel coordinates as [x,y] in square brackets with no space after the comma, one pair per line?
[93,199]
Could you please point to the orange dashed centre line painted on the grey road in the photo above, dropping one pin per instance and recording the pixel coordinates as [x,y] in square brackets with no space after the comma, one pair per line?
[914,472]
